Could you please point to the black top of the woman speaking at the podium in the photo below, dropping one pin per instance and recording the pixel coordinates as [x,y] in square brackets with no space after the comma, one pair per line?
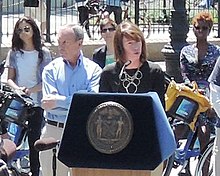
[152,80]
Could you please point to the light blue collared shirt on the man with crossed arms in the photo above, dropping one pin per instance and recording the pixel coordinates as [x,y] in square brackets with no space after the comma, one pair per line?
[62,80]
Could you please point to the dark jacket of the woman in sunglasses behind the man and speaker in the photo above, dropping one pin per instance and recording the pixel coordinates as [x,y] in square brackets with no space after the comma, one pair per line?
[99,56]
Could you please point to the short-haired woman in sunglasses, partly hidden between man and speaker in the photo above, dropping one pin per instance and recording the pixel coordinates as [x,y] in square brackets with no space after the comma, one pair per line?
[105,54]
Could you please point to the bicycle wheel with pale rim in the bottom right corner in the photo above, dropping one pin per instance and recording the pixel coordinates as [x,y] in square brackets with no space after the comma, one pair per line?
[206,160]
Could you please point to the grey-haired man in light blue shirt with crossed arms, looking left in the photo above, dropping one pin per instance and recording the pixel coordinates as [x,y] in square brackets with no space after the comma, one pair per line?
[64,76]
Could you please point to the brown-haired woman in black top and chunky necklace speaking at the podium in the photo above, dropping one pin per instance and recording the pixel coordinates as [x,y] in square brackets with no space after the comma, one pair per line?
[132,72]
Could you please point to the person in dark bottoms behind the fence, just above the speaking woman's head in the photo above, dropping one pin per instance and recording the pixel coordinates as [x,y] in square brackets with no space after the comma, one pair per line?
[115,7]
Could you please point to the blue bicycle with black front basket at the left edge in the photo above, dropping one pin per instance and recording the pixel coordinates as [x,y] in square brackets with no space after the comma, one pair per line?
[15,110]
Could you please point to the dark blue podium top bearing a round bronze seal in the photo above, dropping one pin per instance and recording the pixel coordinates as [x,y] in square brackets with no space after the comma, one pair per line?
[151,139]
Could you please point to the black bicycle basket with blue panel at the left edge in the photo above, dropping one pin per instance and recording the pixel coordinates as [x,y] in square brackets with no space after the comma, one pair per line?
[14,110]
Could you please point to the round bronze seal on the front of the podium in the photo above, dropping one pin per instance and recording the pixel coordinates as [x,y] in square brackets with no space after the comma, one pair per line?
[110,127]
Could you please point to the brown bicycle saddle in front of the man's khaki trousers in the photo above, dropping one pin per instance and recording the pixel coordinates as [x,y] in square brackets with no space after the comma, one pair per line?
[45,144]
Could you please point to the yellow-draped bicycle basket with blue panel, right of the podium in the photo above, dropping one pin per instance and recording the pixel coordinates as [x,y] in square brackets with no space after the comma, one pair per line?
[185,103]
